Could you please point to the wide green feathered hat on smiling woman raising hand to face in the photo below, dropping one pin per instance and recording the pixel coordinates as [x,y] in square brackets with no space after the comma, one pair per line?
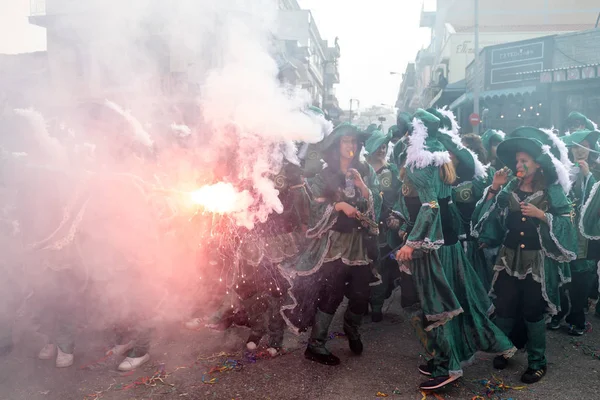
[542,148]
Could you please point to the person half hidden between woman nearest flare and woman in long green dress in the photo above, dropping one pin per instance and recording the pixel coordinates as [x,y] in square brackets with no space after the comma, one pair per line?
[389,186]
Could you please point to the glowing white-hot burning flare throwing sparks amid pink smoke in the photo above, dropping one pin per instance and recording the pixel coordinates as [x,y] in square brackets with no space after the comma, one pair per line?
[221,198]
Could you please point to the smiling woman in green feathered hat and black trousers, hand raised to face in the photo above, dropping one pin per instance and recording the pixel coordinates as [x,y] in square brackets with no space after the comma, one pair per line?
[533,217]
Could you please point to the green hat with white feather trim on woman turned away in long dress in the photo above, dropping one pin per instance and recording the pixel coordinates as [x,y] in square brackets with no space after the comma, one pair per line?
[424,149]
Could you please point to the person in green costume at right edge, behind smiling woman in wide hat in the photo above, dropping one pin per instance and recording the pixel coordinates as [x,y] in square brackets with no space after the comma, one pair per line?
[583,269]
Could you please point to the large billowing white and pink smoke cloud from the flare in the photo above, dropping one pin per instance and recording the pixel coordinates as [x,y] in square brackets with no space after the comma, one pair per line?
[131,209]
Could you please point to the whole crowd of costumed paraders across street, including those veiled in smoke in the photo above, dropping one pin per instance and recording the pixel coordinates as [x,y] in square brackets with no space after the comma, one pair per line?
[490,240]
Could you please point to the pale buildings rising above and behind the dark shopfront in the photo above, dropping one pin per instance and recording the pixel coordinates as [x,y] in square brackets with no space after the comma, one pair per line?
[440,70]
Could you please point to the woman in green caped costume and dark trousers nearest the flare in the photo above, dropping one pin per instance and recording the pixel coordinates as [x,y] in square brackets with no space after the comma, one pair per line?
[338,257]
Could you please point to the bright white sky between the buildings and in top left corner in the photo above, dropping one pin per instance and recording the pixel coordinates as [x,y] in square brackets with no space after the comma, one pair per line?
[376,37]
